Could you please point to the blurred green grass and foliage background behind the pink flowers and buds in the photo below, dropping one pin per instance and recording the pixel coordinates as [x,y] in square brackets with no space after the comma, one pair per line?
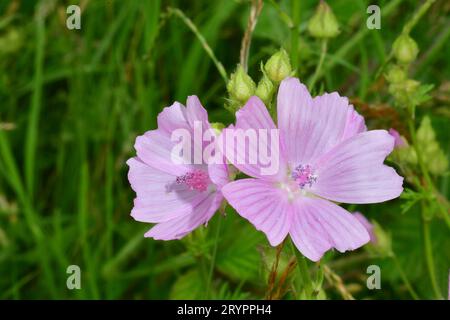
[73,101]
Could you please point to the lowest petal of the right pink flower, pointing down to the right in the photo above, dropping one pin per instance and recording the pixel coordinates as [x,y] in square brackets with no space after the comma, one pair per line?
[319,225]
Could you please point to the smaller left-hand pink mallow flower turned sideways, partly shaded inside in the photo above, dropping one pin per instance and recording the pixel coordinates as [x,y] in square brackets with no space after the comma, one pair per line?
[177,197]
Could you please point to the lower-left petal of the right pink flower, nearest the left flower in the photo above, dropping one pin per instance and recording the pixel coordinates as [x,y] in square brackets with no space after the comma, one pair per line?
[264,205]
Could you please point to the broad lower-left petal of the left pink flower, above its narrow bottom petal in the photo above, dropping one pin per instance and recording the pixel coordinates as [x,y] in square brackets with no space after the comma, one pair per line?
[154,202]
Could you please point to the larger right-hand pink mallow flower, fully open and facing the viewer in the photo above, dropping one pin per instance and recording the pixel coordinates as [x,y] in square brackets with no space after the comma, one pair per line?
[326,156]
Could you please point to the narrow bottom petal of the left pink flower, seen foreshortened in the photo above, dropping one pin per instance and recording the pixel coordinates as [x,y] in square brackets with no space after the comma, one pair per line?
[179,227]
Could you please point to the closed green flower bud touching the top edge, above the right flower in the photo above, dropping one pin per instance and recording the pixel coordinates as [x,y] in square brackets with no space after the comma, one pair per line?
[323,23]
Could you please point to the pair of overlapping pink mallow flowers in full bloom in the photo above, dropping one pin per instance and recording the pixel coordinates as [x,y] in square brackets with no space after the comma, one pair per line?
[326,155]
